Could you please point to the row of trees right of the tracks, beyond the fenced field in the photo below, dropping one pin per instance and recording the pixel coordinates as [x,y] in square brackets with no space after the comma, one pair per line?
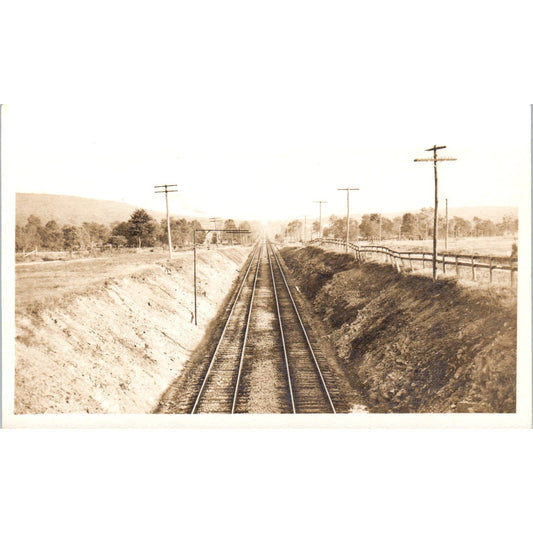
[414,226]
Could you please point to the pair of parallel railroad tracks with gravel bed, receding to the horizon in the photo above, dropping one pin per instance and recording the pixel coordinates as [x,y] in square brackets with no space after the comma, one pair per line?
[265,359]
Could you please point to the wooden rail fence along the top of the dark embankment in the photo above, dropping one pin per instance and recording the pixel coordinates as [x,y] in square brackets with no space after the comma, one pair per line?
[446,261]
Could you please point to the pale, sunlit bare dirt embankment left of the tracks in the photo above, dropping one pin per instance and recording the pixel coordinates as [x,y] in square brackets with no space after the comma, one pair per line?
[114,346]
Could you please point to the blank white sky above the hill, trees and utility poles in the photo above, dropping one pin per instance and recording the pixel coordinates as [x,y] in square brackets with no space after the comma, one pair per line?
[256,110]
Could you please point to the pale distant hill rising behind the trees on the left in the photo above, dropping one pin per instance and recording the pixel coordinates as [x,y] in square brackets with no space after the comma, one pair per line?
[73,209]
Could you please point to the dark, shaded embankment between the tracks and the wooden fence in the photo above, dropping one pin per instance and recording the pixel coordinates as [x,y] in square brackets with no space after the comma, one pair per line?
[410,345]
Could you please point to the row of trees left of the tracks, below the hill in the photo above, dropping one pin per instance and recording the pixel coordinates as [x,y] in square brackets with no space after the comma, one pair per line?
[140,230]
